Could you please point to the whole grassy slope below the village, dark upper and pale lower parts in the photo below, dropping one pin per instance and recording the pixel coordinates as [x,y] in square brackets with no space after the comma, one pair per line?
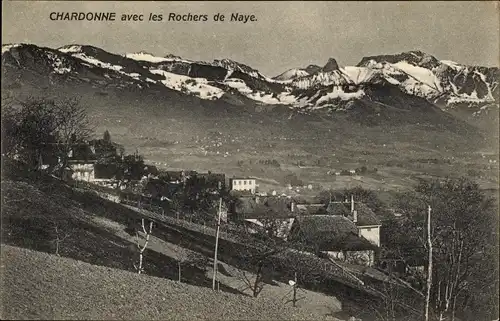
[93,277]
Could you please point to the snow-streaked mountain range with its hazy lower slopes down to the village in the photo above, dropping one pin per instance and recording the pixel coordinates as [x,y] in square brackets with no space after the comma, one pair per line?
[408,115]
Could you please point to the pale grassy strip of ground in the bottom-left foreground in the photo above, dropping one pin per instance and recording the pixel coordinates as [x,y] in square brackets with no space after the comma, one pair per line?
[44,286]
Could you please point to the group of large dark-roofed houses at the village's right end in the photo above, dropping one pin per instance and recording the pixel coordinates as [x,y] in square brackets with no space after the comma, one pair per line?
[347,231]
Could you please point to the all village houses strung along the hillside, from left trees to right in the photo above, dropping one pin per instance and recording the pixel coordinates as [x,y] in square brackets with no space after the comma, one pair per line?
[347,230]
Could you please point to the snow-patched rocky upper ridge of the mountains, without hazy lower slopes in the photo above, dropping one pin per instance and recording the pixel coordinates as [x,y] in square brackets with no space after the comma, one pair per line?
[398,80]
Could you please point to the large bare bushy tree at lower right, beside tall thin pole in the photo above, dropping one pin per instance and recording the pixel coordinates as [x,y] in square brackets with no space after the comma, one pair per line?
[461,236]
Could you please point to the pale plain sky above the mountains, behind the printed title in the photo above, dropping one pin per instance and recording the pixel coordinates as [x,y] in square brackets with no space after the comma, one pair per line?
[286,34]
